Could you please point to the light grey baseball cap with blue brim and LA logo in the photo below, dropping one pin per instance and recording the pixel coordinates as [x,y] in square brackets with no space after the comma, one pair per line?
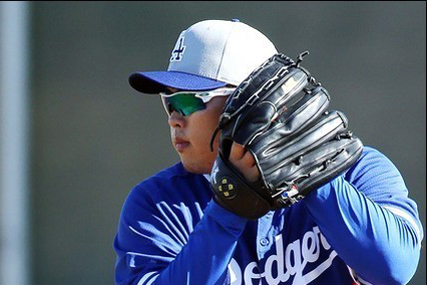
[208,55]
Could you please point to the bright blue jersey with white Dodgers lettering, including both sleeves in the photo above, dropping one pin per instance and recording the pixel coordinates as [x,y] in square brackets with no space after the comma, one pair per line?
[360,228]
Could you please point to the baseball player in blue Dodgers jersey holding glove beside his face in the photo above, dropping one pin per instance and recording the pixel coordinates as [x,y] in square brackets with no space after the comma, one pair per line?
[272,186]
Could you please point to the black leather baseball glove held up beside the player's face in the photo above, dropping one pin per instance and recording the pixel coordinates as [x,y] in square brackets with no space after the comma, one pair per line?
[280,114]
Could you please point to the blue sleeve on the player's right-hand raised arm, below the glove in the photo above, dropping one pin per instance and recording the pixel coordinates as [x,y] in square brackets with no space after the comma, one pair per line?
[368,218]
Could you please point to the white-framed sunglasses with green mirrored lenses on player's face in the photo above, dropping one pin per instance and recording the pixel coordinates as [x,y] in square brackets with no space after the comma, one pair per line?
[186,103]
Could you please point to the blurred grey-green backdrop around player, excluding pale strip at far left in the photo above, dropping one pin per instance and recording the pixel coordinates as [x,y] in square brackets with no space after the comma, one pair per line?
[93,137]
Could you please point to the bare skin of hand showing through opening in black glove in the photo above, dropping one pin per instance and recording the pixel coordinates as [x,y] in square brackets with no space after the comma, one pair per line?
[244,162]
